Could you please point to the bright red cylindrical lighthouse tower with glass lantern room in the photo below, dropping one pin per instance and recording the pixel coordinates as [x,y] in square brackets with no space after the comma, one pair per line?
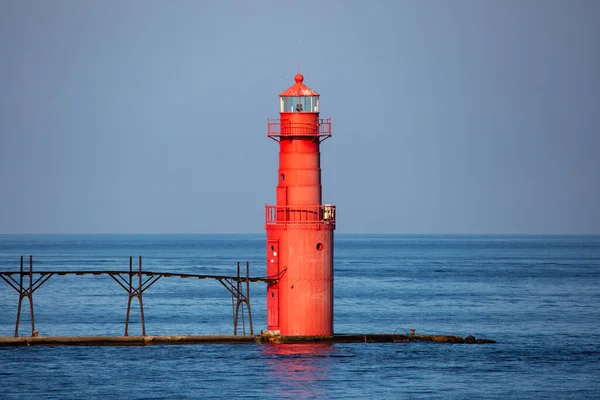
[299,227]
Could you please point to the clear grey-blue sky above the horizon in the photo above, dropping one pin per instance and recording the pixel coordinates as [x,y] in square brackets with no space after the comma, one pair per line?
[448,116]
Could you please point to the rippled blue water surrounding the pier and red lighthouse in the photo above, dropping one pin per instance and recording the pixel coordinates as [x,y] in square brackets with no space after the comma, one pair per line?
[538,296]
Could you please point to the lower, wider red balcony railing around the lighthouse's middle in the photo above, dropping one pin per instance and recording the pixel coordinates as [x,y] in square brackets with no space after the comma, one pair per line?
[302,215]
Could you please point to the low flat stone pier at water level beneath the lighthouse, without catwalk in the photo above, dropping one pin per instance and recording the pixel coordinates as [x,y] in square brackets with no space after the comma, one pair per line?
[230,339]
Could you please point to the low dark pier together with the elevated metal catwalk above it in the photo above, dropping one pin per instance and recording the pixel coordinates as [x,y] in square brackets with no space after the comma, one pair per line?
[135,281]
